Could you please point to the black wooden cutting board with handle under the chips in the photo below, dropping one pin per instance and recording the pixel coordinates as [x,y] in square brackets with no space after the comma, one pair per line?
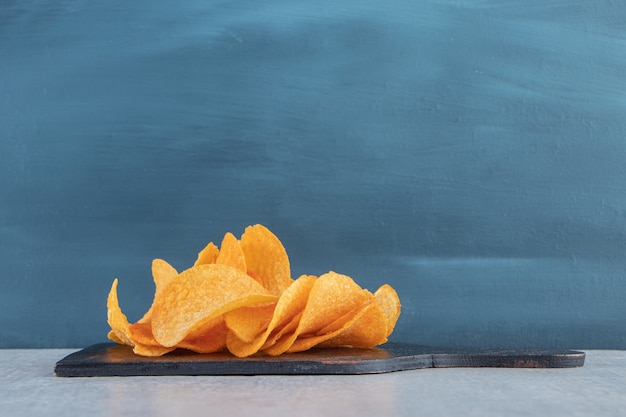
[108,359]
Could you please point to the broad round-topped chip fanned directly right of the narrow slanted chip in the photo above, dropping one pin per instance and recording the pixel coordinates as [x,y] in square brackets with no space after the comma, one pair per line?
[332,297]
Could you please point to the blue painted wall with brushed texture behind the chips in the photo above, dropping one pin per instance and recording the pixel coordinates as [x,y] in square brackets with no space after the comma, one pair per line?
[470,153]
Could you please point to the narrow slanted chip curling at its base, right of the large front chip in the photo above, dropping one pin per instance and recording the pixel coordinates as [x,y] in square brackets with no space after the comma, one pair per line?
[289,305]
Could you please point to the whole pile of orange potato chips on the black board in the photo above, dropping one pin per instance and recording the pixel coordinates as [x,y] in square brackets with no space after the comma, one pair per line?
[241,298]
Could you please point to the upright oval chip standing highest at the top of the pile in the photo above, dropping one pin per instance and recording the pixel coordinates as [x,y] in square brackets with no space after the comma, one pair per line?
[266,259]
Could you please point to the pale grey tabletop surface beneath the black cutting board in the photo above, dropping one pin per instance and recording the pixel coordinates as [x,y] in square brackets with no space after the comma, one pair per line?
[28,387]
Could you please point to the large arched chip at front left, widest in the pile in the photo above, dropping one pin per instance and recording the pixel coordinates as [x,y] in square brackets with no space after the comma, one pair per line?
[199,295]
